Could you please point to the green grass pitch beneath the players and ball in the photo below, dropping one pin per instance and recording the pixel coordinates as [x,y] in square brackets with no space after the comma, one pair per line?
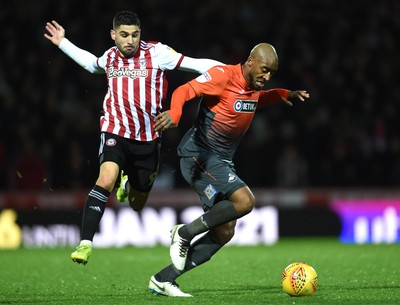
[348,274]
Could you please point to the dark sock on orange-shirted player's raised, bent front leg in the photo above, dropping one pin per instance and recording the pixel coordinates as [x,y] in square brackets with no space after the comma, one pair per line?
[223,212]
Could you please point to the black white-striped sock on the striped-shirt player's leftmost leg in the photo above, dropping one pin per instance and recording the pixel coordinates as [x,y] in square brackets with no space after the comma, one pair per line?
[93,211]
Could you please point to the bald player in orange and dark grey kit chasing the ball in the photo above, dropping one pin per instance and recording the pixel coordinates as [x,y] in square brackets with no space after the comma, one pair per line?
[230,96]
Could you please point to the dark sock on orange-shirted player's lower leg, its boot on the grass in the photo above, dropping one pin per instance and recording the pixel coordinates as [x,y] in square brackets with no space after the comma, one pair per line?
[200,252]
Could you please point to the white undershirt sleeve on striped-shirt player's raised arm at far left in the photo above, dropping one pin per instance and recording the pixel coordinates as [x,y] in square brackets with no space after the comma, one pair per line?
[85,59]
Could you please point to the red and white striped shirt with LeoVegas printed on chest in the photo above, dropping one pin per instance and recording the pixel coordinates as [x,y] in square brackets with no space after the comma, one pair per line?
[137,87]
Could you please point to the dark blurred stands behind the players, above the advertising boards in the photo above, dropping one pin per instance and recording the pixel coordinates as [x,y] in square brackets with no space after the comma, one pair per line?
[344,53]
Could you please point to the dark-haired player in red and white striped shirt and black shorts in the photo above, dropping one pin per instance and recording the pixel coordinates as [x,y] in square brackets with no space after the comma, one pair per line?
[137,87]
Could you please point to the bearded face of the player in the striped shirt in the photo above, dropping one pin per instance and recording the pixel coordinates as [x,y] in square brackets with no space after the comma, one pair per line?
[127,39]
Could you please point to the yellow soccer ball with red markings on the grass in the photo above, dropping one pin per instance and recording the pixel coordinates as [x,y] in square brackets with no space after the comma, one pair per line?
[299,279]
